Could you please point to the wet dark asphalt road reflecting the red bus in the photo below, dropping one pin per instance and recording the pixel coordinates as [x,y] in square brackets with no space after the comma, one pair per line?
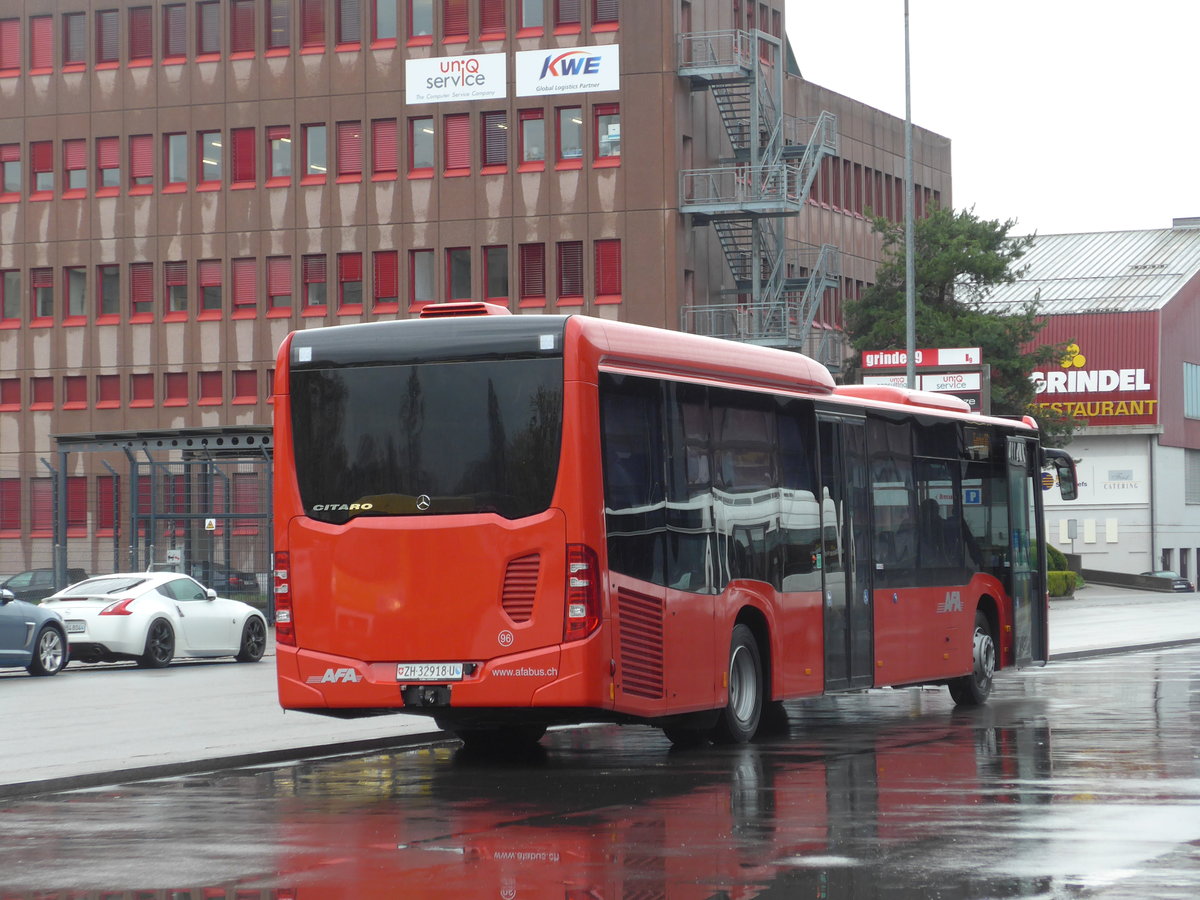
[1078,781]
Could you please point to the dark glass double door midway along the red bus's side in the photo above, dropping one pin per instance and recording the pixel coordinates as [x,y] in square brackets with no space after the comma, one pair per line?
[845,553]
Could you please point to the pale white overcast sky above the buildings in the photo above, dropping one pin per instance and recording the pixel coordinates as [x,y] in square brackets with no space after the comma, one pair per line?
[1067,116]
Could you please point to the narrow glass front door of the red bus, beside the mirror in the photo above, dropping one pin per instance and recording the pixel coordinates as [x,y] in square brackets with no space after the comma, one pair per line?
[1027,554]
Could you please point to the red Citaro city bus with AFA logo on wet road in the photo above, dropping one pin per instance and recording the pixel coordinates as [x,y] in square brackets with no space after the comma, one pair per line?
[509,523]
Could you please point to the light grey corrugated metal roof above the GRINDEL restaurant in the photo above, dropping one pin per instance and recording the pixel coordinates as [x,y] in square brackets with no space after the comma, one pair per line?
[1106,272]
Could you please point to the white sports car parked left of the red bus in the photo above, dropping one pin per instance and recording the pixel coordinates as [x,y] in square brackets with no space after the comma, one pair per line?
[154,617]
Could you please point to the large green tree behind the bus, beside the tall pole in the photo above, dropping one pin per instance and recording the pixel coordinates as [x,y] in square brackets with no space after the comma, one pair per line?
[958,259]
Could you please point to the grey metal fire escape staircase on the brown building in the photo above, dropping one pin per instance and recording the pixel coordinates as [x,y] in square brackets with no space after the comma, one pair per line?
[748,199]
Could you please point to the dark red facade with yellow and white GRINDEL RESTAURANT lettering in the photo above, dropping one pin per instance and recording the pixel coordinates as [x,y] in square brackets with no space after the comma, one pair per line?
[1108,375]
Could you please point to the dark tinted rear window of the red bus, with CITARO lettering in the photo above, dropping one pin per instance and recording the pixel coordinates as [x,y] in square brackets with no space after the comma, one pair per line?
[436,439]
